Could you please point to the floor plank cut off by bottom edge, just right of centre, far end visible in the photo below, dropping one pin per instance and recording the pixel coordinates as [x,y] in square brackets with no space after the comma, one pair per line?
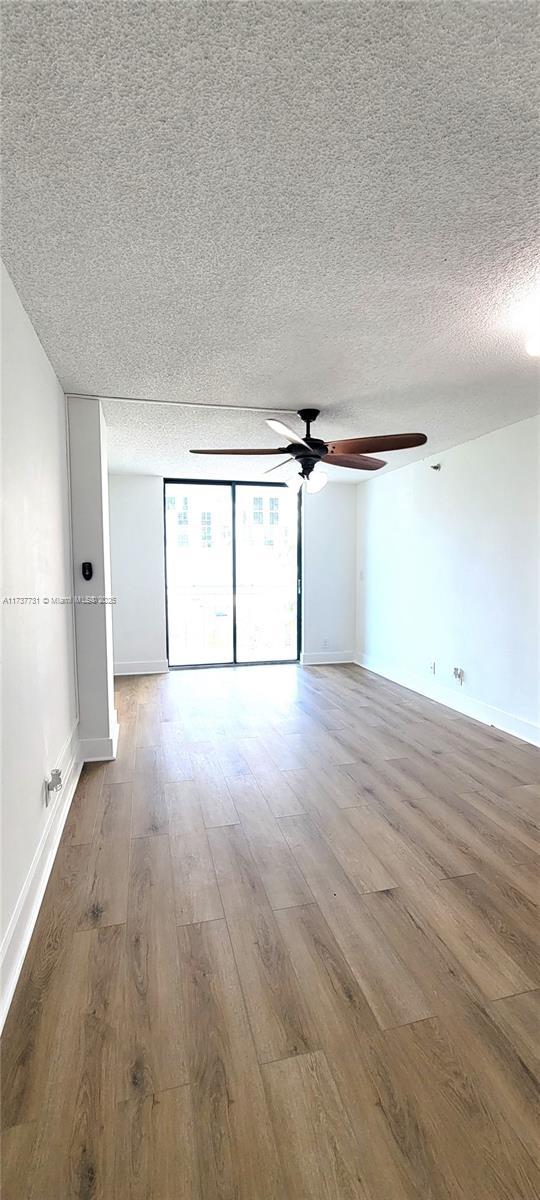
[320,1153]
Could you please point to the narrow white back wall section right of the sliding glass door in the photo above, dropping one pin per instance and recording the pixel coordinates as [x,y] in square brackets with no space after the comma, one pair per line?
[329,575]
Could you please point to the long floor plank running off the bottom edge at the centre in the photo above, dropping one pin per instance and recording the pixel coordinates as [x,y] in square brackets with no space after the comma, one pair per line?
[236,1144]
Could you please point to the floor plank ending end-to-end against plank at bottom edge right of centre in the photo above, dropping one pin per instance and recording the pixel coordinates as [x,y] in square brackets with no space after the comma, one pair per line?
[274,1003]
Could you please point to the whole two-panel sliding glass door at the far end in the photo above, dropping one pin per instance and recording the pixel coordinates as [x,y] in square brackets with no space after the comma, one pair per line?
[233,584]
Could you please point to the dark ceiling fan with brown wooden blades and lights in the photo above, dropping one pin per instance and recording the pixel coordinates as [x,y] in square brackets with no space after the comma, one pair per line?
[308,452]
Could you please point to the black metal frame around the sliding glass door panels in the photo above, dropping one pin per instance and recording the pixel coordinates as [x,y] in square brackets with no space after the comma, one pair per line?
[233,484]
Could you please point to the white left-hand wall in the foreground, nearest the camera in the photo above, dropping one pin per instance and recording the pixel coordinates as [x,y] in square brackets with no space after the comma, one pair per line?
[39,683]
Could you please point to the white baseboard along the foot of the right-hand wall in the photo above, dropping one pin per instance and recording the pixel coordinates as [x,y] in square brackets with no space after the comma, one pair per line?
[458,700]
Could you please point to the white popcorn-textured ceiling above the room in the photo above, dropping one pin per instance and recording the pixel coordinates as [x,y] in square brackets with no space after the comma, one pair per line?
[275,203]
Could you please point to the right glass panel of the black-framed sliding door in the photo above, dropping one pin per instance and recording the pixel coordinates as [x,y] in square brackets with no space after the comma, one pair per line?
[267,573]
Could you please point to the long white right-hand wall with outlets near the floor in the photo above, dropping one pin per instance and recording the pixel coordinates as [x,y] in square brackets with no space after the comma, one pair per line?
[451,566]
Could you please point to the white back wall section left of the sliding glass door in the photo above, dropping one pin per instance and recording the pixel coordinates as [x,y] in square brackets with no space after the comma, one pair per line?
[139,574]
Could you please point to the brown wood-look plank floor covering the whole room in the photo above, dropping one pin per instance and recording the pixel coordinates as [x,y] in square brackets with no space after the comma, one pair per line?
[289,952]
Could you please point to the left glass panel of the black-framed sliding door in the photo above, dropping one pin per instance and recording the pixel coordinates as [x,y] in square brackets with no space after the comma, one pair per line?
[200,573]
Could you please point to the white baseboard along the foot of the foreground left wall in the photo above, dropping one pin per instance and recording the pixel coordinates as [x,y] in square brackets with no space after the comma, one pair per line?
[21,928]
